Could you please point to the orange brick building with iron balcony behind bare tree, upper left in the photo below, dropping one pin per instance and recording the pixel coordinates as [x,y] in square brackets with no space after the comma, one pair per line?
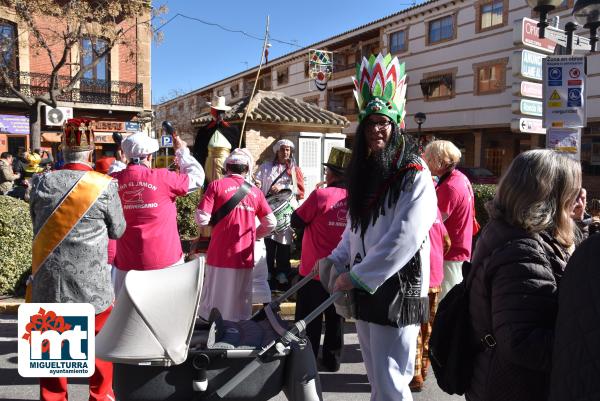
[115,93]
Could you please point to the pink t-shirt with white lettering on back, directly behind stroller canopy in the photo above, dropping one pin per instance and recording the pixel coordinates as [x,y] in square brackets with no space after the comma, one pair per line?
[151,240]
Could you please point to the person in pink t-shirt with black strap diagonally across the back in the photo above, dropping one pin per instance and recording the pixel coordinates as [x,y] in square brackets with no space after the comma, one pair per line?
[228,275]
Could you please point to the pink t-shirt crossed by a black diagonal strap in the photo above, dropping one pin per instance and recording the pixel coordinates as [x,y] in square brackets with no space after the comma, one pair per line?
[232,240]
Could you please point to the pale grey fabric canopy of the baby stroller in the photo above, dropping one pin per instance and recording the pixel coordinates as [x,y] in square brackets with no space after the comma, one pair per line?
[153,318]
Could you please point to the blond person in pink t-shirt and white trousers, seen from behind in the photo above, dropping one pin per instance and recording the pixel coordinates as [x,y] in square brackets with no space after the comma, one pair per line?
[456,203]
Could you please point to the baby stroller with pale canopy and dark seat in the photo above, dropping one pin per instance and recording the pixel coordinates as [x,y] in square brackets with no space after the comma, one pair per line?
[162,351]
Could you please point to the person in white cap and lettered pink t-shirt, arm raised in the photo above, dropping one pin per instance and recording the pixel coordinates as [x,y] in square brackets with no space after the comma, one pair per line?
[151,240]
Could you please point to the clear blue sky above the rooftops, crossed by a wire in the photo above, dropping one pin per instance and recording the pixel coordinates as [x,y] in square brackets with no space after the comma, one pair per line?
[193,54]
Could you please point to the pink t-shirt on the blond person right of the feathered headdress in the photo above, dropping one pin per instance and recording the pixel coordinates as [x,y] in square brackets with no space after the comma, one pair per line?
[455,202]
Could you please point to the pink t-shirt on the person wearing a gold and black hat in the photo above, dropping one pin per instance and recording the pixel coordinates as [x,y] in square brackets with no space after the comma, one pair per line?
[324,213]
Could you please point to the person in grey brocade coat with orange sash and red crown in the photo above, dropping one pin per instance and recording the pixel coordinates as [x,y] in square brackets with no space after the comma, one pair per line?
[73,268]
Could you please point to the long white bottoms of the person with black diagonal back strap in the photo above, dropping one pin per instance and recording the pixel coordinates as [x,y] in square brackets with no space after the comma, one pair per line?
[228,290]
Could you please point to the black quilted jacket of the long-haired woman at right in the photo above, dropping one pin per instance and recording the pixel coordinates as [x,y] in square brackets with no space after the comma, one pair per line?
[514,296]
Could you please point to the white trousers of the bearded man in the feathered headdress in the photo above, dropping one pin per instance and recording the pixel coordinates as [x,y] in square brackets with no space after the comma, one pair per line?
[389,356]
